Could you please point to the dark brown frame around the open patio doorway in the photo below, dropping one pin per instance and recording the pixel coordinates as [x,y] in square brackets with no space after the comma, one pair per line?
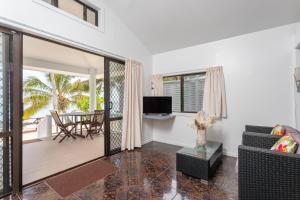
[17,141]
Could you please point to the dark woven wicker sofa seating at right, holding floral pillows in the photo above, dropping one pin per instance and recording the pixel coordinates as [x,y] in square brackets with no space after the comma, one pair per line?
[265,174]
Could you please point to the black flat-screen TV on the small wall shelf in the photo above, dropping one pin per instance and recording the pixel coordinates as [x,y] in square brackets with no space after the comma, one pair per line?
[157,105]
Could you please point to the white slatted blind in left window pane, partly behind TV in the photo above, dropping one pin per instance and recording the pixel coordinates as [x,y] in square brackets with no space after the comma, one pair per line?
[172,88]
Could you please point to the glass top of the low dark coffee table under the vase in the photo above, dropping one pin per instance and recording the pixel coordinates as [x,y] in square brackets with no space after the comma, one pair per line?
[211,148]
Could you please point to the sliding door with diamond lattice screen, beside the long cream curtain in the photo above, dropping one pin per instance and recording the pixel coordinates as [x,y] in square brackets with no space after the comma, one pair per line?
[114,77]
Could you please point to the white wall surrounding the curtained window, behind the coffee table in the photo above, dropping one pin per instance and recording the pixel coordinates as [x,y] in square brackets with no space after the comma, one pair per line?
[258,69]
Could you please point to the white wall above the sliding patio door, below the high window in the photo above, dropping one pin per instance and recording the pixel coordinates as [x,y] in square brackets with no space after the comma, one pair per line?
[116,39]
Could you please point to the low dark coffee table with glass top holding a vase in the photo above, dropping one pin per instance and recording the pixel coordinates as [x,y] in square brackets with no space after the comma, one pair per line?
[200,165]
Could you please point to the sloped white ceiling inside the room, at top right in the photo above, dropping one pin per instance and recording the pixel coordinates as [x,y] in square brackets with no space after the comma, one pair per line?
[164,25]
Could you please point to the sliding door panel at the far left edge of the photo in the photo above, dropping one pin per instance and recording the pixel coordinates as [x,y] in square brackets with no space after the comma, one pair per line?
[10,110]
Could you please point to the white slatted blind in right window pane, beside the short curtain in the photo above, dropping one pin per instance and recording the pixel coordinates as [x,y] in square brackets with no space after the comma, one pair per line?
[193,92]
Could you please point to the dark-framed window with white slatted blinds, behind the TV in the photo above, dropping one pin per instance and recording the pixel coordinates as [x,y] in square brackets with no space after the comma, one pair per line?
[186,91]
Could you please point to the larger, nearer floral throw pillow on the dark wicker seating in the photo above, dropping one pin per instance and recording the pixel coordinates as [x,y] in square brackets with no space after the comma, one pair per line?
[285,144]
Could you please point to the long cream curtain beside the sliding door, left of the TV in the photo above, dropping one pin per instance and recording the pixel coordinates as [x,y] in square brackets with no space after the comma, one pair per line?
[133,105]
